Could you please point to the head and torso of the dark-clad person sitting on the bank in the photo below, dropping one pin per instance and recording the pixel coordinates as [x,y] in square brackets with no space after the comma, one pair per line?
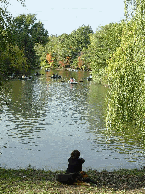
[75,163]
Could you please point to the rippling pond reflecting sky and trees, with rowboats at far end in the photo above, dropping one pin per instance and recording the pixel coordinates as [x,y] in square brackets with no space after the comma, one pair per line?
[43,120]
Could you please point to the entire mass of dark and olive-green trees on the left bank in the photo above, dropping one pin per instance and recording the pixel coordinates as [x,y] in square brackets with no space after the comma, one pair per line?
[18,37]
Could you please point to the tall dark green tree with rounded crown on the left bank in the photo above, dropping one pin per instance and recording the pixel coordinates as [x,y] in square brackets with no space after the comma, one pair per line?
[26,33]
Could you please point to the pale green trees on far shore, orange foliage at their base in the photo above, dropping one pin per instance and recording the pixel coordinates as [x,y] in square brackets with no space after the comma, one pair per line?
[67,47]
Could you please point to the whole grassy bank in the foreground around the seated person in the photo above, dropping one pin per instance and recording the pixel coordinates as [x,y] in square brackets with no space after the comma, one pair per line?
[33,181]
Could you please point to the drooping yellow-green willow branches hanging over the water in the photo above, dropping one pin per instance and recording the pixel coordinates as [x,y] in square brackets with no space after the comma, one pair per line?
[126,106]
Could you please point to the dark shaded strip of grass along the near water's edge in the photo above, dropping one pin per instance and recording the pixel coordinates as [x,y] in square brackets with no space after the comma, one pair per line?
[116,180]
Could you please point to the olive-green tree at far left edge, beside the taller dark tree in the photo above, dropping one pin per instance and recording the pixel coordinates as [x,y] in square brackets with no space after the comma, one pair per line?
[7,45]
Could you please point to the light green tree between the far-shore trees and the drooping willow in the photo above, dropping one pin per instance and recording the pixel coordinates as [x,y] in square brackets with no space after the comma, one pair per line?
[102,44]
